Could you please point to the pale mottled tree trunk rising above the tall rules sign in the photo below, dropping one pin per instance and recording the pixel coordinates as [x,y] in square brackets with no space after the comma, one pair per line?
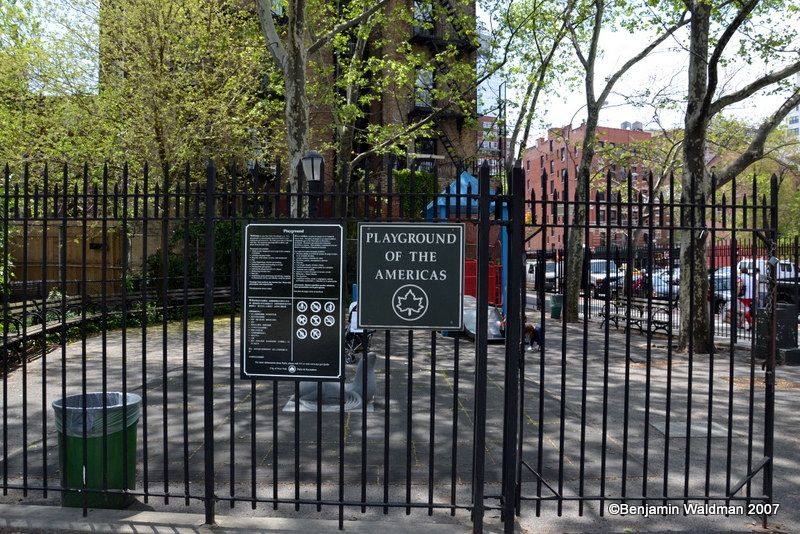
[297,106]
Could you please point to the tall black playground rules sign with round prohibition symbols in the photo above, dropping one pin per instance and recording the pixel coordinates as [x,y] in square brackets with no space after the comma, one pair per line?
[292,320]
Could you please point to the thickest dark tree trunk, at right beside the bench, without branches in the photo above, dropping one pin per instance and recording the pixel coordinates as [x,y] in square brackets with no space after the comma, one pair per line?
[694,323]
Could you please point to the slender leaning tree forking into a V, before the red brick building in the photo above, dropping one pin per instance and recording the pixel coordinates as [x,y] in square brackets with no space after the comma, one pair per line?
[598,15]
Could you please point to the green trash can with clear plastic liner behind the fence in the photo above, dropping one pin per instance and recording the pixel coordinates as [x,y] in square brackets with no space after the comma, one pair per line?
[120,467]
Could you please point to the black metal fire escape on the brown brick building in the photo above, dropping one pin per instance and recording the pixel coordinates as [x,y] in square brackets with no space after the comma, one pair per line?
[431,33]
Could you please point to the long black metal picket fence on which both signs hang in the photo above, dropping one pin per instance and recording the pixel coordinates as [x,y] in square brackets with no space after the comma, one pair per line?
[436,437]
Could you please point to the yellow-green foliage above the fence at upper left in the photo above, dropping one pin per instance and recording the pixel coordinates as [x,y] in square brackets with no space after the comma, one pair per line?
[165,81]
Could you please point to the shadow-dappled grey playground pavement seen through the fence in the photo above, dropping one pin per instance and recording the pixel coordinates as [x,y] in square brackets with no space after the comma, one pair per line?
[249,423]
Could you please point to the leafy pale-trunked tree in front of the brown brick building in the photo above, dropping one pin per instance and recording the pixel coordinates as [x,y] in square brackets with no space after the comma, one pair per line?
[355,36]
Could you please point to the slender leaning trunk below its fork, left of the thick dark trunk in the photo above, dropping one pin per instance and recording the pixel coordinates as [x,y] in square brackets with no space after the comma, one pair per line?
[575,240]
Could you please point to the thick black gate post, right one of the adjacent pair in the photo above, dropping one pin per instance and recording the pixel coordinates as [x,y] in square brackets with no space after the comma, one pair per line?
[513,347]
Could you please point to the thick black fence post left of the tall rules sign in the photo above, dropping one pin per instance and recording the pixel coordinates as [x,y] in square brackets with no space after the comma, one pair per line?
[208,345]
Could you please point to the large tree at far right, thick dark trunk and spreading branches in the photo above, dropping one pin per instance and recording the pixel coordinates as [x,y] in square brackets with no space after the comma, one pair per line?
[765,33]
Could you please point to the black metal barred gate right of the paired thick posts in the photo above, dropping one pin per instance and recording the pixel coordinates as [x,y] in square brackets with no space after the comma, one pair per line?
[618,413]
